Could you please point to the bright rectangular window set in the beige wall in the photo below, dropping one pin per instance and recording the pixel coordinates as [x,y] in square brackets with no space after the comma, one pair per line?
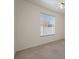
[47,24]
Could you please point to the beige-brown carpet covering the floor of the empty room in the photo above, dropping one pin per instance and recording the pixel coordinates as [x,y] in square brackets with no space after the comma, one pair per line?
[53,50]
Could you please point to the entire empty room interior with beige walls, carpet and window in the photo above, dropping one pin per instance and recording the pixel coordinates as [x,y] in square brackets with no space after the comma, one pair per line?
[39,30]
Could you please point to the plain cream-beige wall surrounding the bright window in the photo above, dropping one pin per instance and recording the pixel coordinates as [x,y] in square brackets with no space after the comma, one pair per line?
[27,25]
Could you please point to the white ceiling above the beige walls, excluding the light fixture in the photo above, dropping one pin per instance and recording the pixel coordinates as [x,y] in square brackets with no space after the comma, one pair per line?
[50,4]
